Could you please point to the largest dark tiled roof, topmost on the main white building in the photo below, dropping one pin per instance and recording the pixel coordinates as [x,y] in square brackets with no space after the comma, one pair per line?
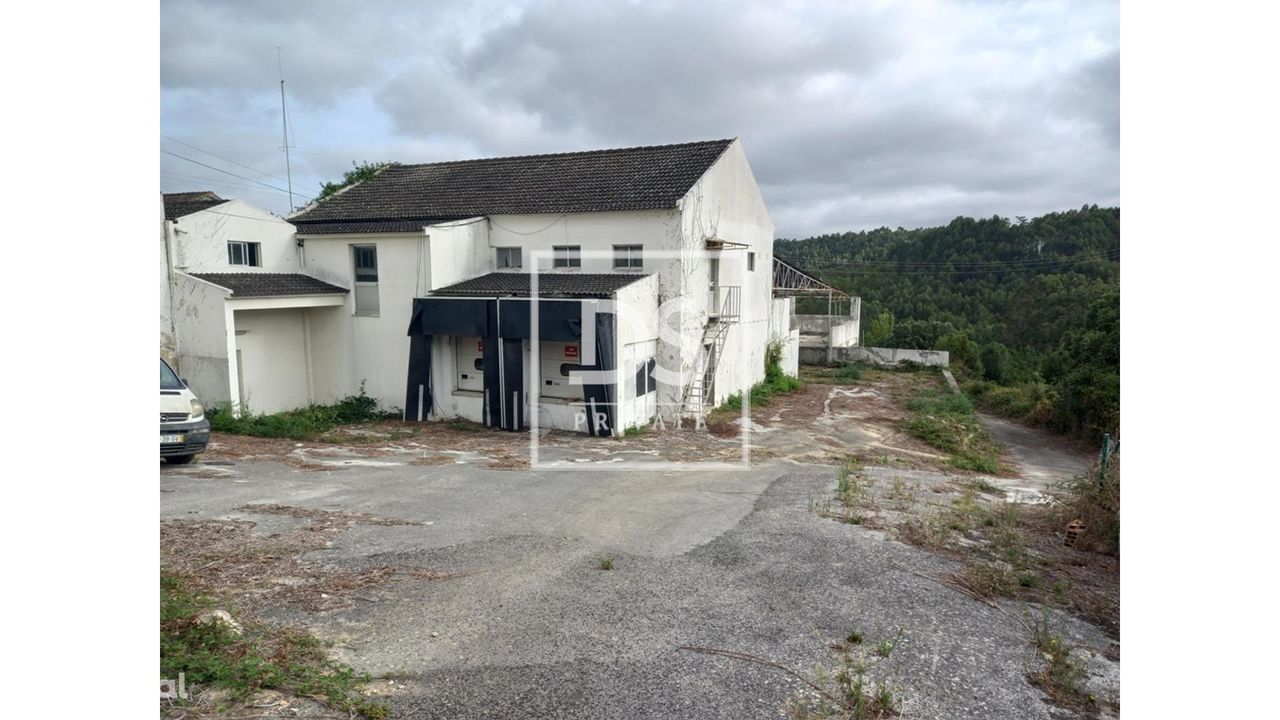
[628,179]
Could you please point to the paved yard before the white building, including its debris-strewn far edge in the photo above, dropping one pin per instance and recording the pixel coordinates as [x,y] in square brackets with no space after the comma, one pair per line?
[528,625]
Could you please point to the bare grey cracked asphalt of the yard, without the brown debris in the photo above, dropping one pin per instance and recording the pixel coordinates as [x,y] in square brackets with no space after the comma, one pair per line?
[534,628]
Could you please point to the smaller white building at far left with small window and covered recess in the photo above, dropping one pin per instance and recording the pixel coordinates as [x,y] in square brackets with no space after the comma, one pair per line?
[237,320]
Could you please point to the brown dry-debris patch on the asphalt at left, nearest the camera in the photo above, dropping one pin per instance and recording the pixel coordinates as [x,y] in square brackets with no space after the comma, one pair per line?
[228,559]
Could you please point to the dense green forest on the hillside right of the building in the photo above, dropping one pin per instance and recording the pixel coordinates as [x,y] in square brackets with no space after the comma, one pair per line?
[1030,309]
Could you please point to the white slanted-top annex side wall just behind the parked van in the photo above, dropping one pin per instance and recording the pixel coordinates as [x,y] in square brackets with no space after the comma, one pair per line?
[200,317]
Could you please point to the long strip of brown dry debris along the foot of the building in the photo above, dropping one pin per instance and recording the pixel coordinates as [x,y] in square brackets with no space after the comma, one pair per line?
[819,423]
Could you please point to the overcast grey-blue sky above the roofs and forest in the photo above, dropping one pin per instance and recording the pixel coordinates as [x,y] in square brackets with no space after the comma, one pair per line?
[853,115]
